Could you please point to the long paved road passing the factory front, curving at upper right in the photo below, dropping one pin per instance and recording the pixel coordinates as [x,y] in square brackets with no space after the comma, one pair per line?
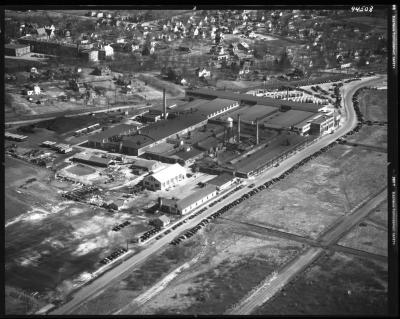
[88,291]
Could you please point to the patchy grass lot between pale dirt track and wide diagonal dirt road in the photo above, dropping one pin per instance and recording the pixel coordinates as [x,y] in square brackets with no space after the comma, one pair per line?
[235,260]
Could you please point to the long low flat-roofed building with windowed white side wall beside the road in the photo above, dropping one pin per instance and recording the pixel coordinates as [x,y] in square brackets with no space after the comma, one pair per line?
[189,203]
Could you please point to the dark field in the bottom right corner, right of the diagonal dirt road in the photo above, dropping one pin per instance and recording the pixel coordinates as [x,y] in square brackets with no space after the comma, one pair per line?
[334,285]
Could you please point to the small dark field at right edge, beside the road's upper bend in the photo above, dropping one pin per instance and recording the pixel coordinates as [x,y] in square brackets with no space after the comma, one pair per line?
[373,104]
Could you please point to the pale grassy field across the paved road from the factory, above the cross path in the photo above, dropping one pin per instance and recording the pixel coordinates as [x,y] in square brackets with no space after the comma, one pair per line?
[317,193]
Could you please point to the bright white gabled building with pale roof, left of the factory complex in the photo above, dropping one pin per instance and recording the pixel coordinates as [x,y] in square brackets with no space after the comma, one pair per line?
[165,178]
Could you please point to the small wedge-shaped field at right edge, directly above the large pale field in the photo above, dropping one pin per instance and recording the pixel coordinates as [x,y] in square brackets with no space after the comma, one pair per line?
[370,135]
